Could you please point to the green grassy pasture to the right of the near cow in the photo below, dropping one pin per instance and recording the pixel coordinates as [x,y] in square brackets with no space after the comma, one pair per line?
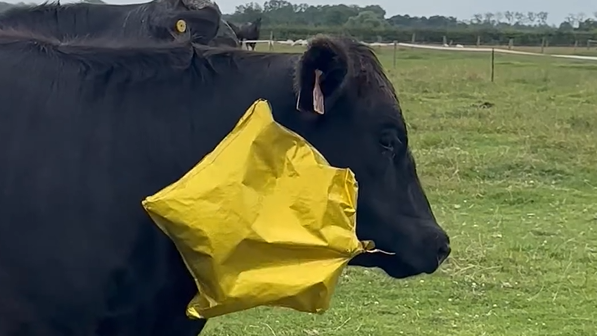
[515,185]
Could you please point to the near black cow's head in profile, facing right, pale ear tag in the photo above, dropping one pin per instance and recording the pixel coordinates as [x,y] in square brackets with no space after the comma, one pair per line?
[351,114]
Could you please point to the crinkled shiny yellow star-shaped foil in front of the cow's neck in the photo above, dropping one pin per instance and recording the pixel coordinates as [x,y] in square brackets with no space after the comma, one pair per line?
[262,220]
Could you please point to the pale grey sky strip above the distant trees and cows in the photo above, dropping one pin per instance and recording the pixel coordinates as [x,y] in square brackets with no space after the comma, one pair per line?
[462,9]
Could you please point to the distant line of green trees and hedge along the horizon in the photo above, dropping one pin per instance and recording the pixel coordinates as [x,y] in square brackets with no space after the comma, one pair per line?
[370,23]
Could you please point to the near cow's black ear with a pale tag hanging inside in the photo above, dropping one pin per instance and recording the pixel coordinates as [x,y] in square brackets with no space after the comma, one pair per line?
[321,74]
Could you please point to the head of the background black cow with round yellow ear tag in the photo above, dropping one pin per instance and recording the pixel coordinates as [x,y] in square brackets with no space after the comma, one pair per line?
[184,19]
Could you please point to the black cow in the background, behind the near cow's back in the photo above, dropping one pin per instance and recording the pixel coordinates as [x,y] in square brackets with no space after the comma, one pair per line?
[155,20]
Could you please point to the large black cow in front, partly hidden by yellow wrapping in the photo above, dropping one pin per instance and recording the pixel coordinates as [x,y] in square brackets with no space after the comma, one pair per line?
[88,129]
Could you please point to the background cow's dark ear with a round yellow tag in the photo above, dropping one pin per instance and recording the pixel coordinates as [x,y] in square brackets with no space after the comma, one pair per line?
[201,24]
